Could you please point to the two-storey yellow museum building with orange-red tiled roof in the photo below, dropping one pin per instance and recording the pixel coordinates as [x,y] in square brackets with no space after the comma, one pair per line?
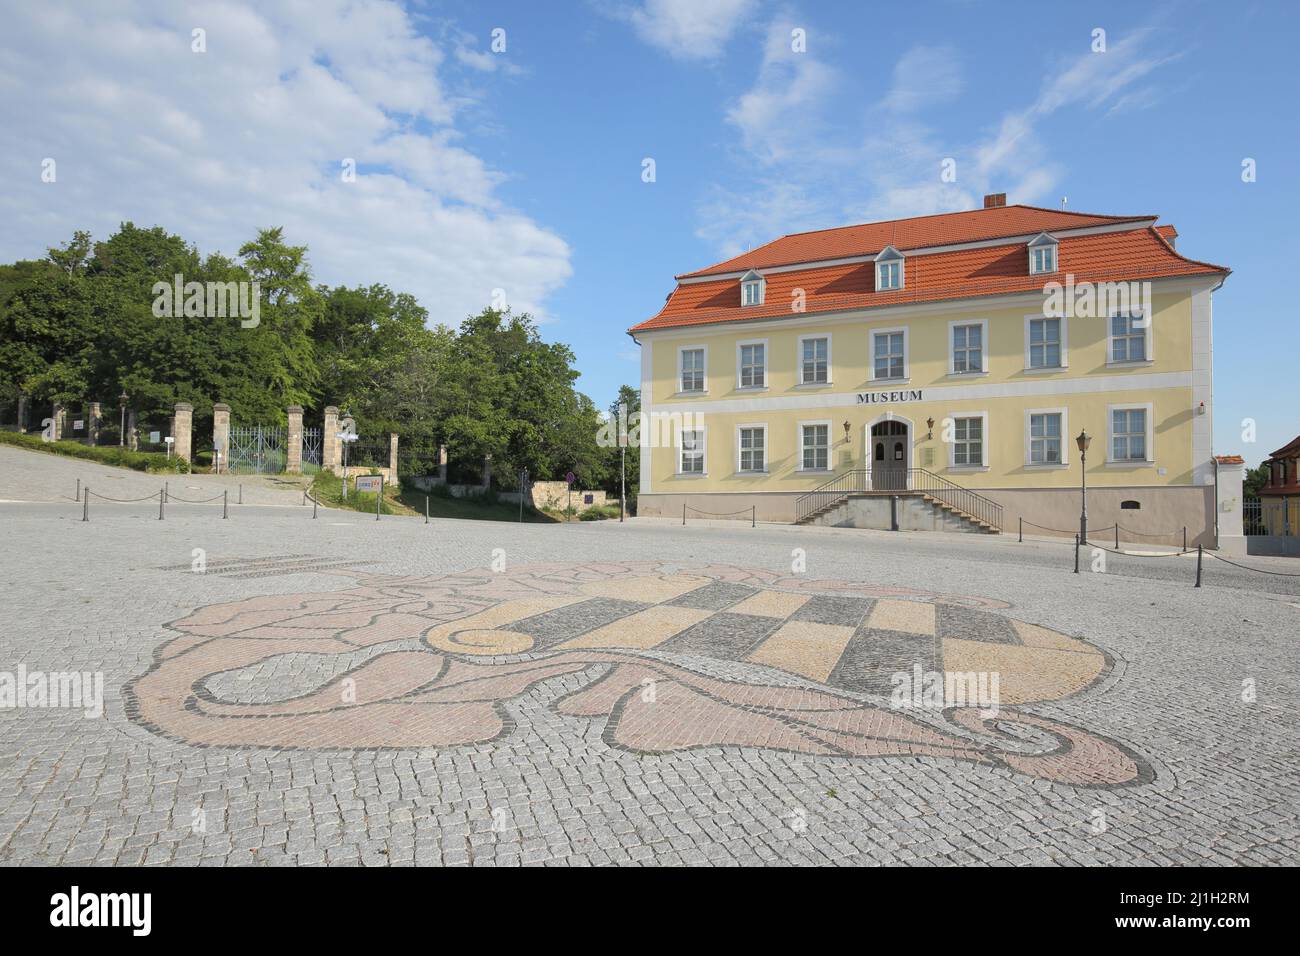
[935,373]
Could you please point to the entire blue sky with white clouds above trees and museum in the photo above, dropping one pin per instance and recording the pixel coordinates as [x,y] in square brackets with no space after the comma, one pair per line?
[522,170]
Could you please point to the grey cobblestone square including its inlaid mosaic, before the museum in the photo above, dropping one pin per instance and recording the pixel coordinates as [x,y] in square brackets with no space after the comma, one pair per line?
[350,691]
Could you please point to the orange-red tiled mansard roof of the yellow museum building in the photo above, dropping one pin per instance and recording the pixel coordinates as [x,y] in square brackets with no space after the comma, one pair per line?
[1141,253]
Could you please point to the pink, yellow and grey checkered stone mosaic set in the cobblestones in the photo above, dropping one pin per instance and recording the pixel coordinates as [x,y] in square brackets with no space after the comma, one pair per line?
[669,657]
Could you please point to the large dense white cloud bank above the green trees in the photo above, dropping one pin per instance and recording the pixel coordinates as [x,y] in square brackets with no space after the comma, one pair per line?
[253,135]
